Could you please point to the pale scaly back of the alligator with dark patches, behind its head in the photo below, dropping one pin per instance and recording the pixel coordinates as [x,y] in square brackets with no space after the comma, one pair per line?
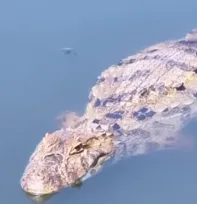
[148,97]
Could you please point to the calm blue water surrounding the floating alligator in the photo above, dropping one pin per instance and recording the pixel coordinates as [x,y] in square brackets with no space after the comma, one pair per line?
[38,82]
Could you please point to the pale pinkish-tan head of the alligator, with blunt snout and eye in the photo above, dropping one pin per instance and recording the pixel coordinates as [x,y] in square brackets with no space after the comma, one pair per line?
[63,159]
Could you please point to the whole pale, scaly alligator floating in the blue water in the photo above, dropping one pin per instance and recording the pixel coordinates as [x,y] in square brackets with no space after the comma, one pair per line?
[137,106]
